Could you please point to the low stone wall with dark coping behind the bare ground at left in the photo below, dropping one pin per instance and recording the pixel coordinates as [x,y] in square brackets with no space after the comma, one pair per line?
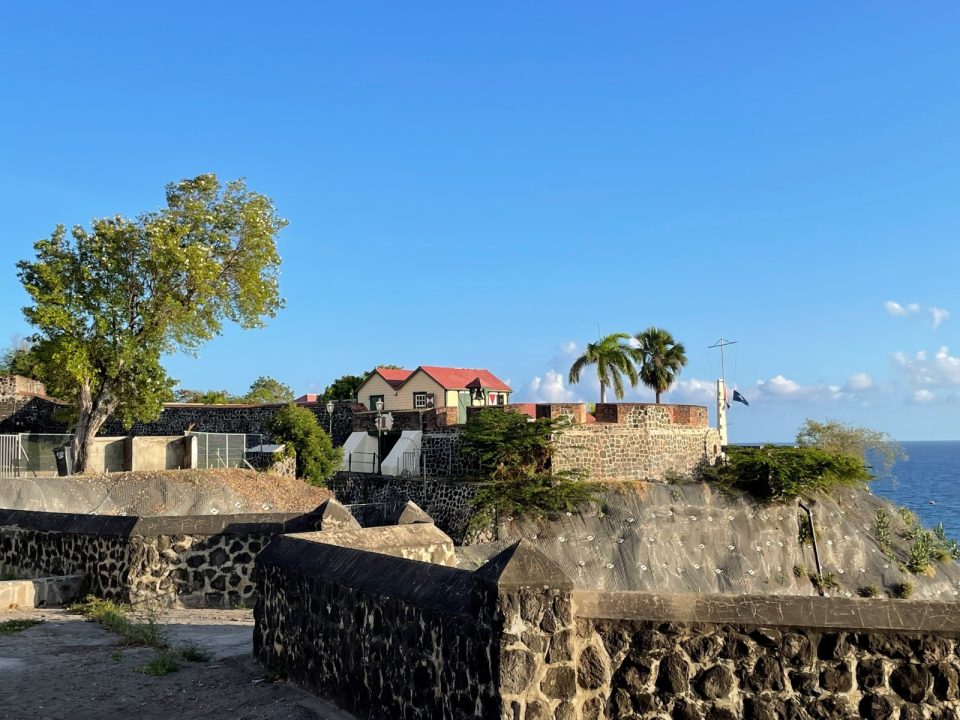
[206,560]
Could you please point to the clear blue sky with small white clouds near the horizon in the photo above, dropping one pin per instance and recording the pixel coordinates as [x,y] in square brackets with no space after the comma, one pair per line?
[485,185]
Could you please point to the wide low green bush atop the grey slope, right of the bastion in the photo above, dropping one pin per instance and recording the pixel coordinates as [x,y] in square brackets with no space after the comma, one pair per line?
[785,472]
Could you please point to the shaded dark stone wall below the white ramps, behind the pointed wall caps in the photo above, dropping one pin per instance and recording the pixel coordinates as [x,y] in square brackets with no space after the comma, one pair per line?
[373,499]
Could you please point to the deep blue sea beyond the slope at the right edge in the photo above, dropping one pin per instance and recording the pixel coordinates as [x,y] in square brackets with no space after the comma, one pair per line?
[928,483]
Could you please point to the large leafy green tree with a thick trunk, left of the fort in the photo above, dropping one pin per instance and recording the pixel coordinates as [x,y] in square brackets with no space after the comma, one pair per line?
[109,301]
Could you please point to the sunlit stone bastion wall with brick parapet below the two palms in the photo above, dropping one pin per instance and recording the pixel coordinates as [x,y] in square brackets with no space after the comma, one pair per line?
[643,443]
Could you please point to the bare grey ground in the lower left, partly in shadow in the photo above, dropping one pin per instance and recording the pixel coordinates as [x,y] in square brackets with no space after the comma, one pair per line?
[69,669]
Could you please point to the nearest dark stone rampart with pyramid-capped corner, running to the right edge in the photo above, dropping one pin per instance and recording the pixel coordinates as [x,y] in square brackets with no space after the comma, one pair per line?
[391,637]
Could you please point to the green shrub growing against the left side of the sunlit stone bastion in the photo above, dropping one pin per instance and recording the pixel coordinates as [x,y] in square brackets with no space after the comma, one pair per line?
[515,454]
